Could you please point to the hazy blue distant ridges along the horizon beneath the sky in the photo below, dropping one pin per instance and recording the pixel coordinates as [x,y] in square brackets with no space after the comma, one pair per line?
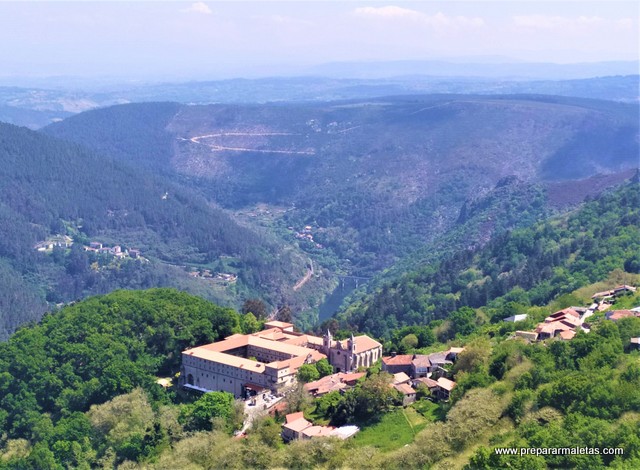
[49,102]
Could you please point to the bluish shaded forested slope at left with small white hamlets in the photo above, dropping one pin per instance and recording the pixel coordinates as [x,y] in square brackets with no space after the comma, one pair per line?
[49,187]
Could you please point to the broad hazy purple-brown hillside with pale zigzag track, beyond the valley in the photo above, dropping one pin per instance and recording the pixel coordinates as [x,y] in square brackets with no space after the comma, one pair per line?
[376,179]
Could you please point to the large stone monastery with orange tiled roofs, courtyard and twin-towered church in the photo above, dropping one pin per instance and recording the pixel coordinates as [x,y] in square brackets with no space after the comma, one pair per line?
[269,360]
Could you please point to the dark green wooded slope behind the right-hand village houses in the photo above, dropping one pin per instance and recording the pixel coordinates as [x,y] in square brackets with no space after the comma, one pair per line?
[526,267]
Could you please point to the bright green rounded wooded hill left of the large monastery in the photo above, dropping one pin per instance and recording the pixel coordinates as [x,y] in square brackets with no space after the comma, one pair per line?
[86,355]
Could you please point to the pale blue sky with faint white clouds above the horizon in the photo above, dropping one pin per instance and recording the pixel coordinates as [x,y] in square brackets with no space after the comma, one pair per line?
[222,39]
